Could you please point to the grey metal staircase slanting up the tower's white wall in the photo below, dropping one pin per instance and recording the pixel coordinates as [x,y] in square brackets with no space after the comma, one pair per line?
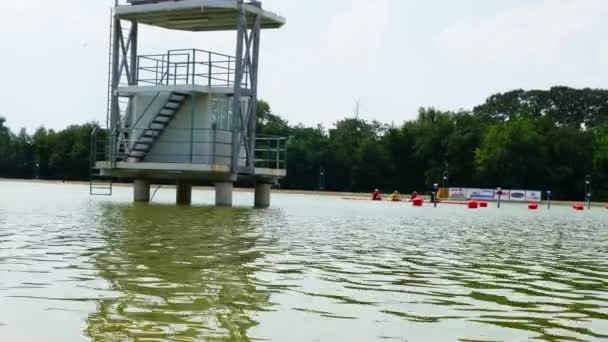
[142,146]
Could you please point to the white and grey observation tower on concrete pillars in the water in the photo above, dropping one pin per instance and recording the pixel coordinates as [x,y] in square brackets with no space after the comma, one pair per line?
[186,115]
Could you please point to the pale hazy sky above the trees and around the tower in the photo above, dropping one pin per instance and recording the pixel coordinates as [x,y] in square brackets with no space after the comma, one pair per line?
[392,56]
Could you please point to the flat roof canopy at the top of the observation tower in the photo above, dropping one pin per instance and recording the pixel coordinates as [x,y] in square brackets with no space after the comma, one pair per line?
[194,15]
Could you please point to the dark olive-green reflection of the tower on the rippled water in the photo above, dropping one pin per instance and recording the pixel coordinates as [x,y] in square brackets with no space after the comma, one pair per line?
[183,273]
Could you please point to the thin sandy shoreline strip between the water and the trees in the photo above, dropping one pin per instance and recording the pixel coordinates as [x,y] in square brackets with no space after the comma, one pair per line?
[338,194]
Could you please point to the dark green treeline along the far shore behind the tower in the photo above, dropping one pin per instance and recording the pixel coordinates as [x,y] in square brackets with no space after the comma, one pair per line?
[537,140]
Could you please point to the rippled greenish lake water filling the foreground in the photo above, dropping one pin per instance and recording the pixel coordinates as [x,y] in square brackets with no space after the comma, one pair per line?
[311,268]
